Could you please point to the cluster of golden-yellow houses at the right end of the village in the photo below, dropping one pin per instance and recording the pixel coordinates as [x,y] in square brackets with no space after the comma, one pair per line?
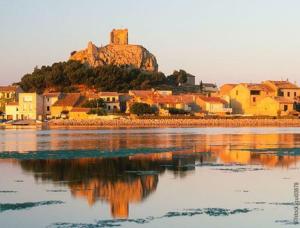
[250,99]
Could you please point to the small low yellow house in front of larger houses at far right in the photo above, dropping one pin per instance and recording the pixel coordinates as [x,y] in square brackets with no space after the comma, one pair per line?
[275,106]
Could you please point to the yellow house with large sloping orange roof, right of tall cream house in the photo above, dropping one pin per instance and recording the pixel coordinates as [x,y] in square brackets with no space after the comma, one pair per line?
[62,107]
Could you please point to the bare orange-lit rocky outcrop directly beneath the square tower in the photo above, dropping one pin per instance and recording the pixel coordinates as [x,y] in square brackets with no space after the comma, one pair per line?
[116,54]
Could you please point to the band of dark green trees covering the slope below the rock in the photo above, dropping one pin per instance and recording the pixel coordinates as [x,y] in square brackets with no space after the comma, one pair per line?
[64,76]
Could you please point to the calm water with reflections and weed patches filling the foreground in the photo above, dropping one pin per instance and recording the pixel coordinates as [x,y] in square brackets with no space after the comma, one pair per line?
[191,177]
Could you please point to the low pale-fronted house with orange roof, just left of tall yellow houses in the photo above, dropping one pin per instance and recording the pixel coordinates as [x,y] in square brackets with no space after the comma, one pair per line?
[213,105]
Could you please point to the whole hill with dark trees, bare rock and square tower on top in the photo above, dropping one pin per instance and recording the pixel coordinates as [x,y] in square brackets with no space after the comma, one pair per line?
[115,67]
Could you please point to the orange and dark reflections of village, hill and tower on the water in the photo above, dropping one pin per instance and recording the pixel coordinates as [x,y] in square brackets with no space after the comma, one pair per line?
[125,180]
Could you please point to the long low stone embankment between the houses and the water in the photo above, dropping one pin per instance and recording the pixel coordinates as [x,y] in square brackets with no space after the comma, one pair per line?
[153,123]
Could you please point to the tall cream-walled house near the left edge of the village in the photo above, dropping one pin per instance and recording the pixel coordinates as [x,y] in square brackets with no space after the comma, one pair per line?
[30,106]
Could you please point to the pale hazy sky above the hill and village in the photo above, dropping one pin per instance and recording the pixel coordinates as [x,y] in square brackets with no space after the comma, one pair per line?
[219,41]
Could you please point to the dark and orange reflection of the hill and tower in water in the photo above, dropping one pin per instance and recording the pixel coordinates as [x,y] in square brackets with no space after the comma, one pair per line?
[113,179]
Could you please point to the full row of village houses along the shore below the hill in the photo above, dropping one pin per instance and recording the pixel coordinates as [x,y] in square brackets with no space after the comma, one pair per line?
[266,99]
